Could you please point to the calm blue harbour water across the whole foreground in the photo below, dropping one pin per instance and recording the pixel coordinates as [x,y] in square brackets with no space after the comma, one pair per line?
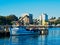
[53,38]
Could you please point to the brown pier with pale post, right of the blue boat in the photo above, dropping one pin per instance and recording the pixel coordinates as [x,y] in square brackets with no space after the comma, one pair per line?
[42,29]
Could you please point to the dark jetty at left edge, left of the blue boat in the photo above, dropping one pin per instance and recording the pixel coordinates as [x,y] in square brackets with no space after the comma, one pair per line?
[4,31]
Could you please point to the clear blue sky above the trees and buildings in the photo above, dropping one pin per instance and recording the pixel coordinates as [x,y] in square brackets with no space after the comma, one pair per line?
[35,7]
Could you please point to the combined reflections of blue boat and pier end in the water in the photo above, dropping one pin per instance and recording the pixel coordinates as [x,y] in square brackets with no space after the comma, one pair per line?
[29,40]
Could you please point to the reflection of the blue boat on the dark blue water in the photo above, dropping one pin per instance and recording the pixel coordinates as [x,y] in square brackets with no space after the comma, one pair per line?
[25,40]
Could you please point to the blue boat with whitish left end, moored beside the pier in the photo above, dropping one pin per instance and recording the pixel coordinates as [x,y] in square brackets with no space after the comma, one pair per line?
[22,31]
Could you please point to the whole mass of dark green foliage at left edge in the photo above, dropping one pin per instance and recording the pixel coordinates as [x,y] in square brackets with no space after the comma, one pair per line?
[7,19]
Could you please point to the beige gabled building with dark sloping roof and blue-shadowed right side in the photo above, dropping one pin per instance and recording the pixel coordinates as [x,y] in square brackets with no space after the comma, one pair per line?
[26,19]
